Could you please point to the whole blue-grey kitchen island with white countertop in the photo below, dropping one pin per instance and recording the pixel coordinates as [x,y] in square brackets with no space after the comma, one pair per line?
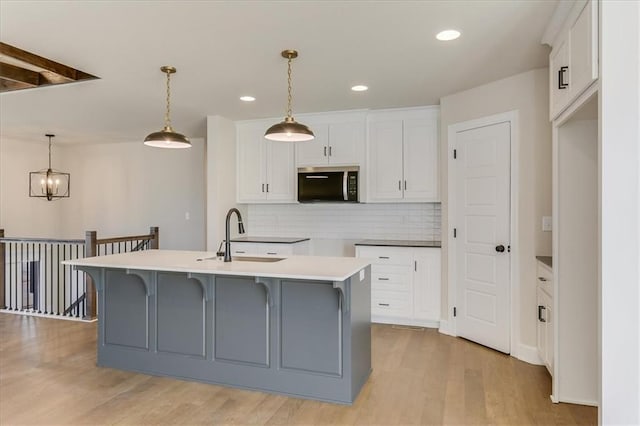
[297,326]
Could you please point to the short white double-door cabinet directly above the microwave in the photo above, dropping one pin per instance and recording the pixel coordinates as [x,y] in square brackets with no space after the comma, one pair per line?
[339,140]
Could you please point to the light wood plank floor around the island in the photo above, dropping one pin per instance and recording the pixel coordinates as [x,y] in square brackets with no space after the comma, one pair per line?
[48,376]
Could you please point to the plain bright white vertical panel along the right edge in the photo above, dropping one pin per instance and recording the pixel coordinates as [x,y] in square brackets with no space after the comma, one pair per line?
[620,212]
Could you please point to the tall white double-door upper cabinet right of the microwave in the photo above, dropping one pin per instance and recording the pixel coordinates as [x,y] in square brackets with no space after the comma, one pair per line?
[403,155]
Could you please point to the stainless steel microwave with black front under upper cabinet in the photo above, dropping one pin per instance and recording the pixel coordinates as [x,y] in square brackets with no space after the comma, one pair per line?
[328,184]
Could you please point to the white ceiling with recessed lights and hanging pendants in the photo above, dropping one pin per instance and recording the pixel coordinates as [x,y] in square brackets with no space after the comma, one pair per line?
[224,49]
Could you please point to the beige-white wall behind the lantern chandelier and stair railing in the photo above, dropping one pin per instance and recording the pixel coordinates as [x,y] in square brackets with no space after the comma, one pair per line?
[116,189]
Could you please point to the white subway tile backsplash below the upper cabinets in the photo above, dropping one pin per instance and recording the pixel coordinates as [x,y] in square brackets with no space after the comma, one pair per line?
[417,221]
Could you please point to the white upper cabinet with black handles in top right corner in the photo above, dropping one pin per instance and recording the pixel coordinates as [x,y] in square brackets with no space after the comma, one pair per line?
[573,62]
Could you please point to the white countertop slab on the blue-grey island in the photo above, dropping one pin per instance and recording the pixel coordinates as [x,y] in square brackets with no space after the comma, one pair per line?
[295,267]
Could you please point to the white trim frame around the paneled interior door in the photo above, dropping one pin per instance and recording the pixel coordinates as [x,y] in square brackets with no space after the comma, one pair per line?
[512,118]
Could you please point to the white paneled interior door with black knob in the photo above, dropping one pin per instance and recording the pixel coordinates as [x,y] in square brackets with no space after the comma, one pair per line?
[482,242]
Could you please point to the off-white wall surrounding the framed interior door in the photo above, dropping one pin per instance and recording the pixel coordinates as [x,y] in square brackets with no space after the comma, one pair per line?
[528,93]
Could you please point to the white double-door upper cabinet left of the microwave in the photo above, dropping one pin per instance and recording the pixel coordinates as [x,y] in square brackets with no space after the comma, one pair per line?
[265,169]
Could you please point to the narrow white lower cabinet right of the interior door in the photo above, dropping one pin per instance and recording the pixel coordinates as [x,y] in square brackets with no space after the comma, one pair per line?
[545,321]
